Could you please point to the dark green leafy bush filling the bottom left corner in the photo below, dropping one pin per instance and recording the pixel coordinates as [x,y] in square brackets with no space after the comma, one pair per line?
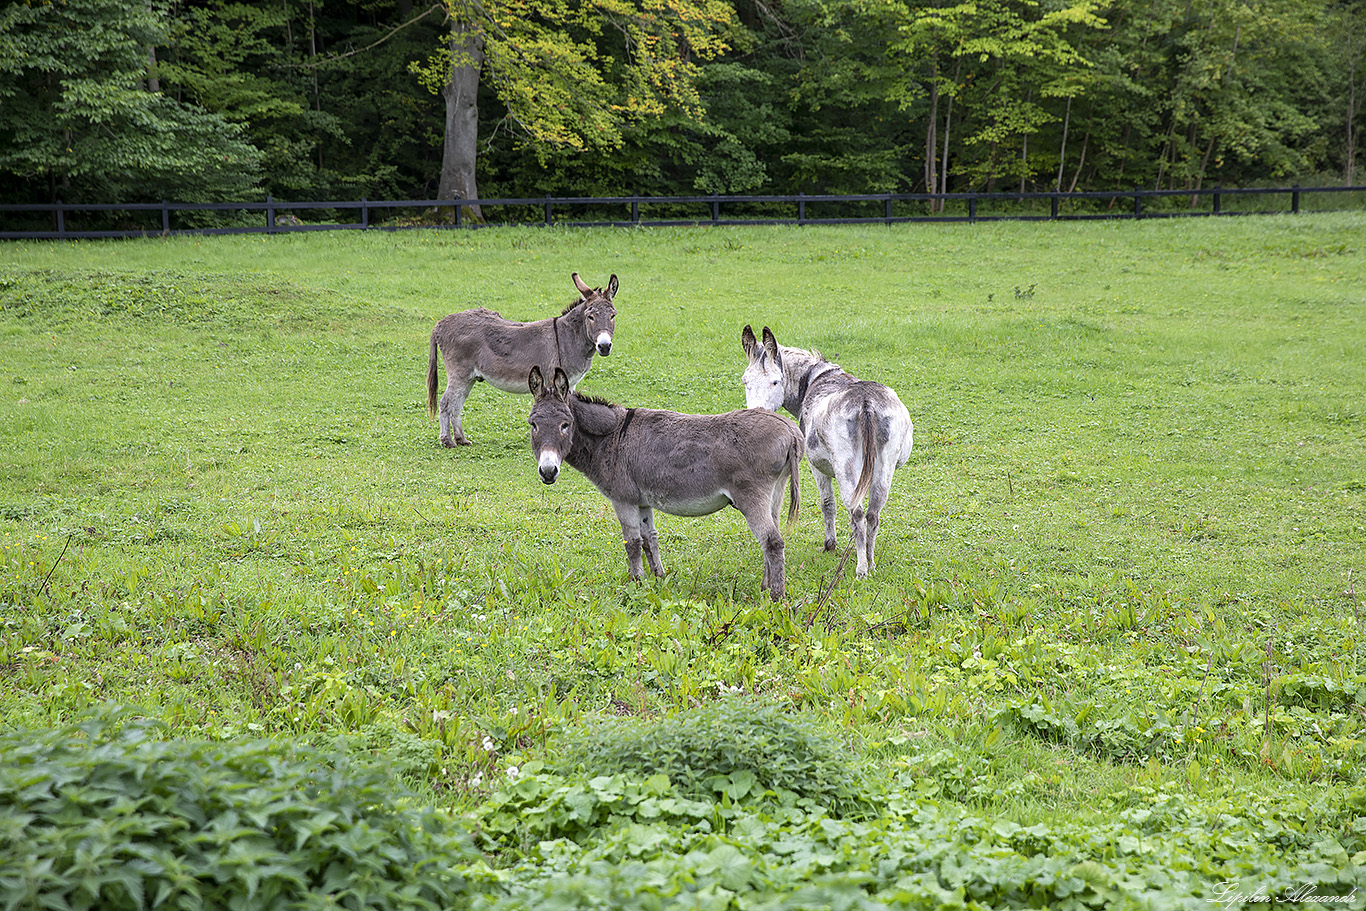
[107,813]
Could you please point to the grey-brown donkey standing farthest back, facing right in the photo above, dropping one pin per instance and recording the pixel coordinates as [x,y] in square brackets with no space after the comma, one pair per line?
[480,345]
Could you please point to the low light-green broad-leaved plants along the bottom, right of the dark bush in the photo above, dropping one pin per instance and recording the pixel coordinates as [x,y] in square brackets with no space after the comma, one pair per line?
[639,845]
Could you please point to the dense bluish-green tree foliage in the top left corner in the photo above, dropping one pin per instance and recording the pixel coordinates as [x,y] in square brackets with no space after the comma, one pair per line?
[81,122]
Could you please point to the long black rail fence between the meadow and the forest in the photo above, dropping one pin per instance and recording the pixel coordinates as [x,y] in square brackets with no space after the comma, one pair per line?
[74,221]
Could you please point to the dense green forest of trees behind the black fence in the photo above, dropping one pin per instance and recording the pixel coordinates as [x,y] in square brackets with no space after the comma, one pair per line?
[217,100]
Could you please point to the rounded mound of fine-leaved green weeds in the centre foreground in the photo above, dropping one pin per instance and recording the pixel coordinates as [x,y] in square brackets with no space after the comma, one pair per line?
[733,746]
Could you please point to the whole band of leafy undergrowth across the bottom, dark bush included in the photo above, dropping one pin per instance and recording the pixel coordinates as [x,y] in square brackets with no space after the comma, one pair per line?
[114,816]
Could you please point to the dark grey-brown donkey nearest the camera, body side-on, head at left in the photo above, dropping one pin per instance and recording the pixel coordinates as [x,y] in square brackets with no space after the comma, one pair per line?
[688,465]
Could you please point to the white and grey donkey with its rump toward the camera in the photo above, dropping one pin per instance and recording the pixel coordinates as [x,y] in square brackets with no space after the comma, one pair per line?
[856,431]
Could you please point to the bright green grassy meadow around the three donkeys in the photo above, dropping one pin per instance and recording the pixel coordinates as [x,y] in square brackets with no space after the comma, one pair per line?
[1119,589]
